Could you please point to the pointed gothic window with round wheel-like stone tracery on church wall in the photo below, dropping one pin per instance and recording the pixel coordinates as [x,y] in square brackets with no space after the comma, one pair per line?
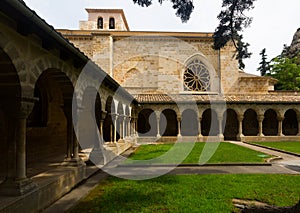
[196,76]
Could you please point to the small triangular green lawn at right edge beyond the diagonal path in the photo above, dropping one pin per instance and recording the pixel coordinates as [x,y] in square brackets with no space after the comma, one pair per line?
[291,146]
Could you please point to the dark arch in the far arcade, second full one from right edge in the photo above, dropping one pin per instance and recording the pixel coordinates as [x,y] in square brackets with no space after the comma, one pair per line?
[270,123]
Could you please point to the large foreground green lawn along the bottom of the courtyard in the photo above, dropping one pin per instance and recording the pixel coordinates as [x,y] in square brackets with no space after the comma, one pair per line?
[190,193]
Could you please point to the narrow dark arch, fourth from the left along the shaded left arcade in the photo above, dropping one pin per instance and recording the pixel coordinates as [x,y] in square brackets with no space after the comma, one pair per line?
[108,125]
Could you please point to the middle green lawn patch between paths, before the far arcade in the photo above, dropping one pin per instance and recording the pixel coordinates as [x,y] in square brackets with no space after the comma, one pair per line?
[225,153]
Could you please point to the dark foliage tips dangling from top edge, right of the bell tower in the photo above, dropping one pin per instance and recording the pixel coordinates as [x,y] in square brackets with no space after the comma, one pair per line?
[184,8]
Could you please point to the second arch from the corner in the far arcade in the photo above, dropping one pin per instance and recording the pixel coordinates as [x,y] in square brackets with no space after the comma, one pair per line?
[168,123]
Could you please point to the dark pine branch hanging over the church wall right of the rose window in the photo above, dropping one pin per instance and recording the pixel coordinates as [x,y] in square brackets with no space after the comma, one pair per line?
[232,22]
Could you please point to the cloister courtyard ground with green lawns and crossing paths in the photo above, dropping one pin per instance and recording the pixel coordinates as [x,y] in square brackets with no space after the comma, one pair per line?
[217,187]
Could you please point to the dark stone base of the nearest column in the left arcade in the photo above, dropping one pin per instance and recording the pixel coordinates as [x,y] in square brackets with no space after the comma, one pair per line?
[12,187]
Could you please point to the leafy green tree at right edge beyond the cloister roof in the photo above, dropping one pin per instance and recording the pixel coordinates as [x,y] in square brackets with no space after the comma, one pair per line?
[287,72]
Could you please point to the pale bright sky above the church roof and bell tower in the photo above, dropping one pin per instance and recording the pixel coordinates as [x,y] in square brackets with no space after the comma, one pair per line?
[274,21]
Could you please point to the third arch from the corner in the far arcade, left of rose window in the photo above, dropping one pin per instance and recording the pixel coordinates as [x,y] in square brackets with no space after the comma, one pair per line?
[189,123]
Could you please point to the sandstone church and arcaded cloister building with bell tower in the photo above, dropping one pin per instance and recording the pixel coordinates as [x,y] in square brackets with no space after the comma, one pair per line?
[54,122]
